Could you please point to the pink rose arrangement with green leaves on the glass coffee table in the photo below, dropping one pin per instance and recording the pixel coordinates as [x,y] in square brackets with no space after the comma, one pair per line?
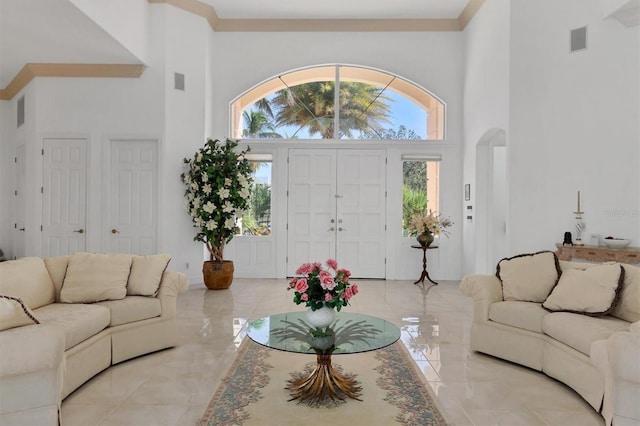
[316,286]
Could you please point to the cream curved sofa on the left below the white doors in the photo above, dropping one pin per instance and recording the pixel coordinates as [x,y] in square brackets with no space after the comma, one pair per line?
[64,319]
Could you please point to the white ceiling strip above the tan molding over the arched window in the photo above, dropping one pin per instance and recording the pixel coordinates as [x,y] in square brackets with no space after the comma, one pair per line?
[337,9]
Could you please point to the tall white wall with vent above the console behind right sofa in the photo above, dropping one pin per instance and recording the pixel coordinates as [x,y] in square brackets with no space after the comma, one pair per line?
[573,124]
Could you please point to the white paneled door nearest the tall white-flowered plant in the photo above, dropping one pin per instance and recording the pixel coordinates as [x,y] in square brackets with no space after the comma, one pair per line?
[133,196]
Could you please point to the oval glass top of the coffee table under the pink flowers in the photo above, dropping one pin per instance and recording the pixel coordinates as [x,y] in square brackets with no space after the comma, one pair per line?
[350,333]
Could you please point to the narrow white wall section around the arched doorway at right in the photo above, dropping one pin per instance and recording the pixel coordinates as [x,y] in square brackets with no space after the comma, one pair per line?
[486,113]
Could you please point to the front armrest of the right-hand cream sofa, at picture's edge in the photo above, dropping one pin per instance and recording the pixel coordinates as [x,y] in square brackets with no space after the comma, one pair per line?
[623,354]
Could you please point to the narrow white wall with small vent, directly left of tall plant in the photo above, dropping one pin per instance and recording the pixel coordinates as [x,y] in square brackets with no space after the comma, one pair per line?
[185,42]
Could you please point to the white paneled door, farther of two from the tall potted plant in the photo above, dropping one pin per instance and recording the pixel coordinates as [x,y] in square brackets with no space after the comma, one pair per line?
[64,196]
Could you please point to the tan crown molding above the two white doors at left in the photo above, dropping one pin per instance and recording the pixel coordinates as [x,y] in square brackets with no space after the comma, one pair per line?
[33,70]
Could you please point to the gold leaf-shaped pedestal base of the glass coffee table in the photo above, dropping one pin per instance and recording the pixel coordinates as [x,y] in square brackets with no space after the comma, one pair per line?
[323,383]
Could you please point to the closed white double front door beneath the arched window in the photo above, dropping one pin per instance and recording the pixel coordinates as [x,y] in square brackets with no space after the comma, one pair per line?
[337,209]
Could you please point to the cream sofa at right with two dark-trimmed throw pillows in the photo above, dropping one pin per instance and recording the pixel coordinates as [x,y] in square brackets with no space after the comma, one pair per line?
[598,356]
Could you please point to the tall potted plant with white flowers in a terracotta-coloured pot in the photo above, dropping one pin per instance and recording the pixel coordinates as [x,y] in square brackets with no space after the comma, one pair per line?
[218,180]
